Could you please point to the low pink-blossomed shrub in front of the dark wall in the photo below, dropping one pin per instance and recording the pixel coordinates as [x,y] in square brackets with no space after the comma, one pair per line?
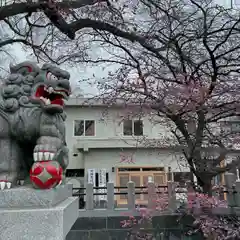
[200,206]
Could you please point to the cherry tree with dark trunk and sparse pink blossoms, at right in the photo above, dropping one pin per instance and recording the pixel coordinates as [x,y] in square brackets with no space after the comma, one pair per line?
[182,67]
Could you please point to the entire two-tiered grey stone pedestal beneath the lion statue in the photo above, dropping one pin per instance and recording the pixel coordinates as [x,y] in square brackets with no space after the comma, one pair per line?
[30,214]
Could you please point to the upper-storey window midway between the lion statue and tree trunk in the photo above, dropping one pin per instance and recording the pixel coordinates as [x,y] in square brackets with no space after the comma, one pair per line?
[132,127]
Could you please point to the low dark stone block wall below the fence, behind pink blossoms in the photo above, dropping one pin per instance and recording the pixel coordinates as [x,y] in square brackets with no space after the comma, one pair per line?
[109,228]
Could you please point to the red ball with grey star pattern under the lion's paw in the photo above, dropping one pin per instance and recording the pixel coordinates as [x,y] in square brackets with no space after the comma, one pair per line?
[46,174]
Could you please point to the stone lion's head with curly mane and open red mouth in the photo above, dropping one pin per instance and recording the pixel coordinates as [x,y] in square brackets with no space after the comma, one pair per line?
[31,86]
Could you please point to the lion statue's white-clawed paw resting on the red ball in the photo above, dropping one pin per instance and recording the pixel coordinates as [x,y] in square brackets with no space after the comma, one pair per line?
[44,153]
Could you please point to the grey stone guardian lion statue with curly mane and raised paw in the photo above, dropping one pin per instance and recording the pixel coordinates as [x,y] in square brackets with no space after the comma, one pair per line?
[32,119]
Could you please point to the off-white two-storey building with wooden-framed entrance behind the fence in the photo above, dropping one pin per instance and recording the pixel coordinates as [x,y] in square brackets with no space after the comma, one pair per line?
[113,143]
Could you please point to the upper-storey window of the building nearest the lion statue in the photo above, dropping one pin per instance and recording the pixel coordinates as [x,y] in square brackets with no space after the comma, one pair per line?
[84,128]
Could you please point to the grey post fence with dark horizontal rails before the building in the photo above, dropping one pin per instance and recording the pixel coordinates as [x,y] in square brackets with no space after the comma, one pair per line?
[170,191]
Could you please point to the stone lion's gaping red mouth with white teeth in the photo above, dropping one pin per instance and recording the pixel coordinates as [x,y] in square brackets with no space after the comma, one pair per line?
[51,96]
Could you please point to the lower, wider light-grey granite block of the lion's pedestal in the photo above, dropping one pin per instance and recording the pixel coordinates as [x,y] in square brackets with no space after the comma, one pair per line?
[39,223]
